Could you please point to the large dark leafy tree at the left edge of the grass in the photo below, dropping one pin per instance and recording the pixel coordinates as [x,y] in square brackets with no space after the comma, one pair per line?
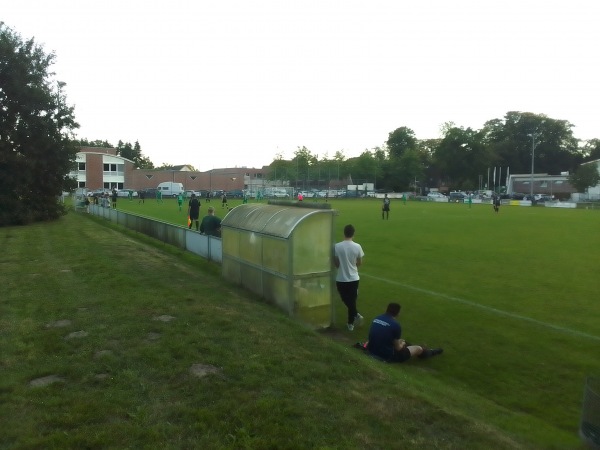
[36,124]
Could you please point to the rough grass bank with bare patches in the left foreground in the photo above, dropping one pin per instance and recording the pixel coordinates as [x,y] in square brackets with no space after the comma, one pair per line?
[127,384]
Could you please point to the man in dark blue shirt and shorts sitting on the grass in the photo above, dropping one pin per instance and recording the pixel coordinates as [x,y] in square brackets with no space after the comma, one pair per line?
[385,339]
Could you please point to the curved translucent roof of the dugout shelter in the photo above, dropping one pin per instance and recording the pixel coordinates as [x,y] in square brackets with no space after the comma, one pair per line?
[272,220]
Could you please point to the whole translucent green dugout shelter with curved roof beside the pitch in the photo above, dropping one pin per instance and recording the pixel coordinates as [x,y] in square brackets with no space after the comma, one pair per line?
[282,252]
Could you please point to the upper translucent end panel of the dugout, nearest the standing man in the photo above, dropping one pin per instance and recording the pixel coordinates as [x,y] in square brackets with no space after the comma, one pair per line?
[312,246]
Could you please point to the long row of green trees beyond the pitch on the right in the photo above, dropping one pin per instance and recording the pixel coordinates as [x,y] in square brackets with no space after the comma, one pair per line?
[460,160]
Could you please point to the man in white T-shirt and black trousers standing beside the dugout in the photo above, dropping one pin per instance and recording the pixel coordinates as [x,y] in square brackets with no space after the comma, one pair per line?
[347,257]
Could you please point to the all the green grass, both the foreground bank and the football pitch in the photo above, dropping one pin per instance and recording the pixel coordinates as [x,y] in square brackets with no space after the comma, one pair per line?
[511,297]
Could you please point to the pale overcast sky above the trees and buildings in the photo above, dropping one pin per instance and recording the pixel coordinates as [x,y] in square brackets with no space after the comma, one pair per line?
[234,83]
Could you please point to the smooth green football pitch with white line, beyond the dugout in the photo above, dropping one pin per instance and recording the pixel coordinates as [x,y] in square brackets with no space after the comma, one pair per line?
[512,297]
